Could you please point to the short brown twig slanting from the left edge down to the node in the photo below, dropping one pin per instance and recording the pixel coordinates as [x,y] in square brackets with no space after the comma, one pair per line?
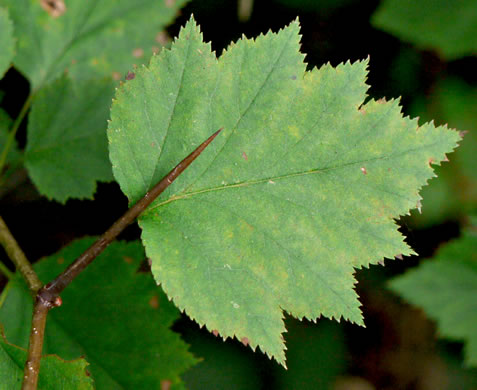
[15,253]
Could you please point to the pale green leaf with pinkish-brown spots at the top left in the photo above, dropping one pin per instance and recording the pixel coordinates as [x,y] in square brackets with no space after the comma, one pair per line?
[86,37]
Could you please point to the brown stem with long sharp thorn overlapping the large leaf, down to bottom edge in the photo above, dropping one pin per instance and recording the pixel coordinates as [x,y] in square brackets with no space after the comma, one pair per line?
[48,296]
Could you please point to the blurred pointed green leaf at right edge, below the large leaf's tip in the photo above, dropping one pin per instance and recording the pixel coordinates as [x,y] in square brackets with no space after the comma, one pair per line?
[446,287]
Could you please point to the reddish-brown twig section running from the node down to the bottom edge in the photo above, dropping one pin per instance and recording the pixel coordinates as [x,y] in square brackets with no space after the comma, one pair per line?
[37,334]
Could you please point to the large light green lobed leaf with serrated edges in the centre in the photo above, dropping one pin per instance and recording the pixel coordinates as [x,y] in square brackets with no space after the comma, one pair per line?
[301,186]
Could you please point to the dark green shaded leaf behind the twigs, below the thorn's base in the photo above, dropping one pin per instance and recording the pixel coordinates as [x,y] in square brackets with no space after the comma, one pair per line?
[111,314]
